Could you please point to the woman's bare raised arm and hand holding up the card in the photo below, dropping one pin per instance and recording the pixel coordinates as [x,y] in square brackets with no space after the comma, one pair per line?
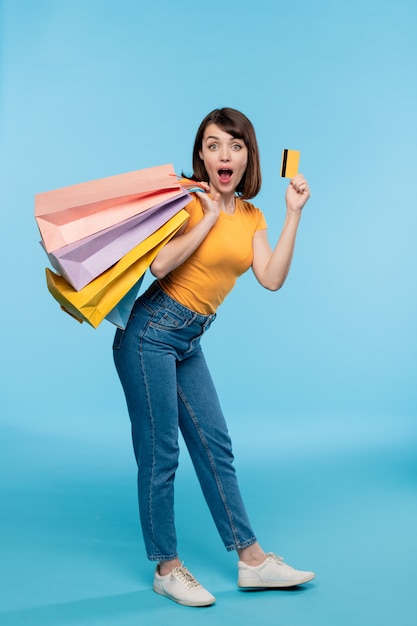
[271,267]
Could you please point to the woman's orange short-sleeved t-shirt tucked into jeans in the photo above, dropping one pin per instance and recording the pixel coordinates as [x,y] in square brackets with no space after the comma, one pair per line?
[203,281]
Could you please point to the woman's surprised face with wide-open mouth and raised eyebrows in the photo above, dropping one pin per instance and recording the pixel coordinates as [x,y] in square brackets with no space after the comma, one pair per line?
[225,159]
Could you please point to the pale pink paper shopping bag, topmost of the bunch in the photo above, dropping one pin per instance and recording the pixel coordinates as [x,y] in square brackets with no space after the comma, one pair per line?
[71,213]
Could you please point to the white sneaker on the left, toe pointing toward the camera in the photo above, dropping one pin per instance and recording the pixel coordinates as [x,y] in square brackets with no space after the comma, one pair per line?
[181,586]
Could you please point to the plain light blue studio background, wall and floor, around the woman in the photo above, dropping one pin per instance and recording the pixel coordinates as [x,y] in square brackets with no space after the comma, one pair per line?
[318,381]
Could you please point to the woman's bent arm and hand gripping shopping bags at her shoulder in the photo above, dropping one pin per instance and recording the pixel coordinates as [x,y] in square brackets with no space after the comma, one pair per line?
[182,246]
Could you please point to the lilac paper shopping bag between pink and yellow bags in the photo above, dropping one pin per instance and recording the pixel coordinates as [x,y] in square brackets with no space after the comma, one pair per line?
[82,261]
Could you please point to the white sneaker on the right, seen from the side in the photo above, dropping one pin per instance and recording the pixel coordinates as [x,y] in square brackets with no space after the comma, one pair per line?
[273,572]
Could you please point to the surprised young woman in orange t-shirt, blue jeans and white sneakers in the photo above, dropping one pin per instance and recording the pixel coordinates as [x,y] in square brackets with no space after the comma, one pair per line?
[162,368]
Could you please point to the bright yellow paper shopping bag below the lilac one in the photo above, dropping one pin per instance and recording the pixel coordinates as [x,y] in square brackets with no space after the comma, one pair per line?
[100,296]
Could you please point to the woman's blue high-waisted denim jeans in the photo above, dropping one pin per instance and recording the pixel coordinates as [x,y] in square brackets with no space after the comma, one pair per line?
[168,386]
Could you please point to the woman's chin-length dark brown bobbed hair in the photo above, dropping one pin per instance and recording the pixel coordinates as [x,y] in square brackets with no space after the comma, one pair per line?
[239,126]
